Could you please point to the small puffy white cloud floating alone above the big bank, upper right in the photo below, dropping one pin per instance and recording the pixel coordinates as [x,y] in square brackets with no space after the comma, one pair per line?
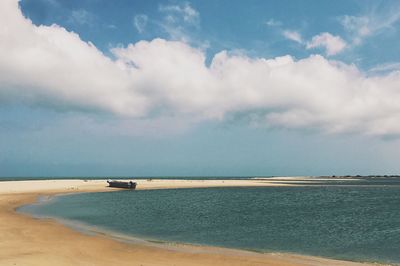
[332,44]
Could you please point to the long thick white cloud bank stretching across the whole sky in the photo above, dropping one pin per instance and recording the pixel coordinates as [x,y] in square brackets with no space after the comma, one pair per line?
[54,68]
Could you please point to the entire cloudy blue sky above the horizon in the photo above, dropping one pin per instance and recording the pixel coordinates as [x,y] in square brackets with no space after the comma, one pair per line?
[199,88]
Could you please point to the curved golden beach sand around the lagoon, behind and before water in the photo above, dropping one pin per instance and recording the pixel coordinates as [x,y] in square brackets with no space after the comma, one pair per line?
[25,240]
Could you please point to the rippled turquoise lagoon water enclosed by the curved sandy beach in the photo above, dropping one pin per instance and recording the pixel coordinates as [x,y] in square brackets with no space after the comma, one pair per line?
[349,222]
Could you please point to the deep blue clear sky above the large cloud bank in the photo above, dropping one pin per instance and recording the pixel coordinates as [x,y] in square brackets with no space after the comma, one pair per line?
[255,27]
